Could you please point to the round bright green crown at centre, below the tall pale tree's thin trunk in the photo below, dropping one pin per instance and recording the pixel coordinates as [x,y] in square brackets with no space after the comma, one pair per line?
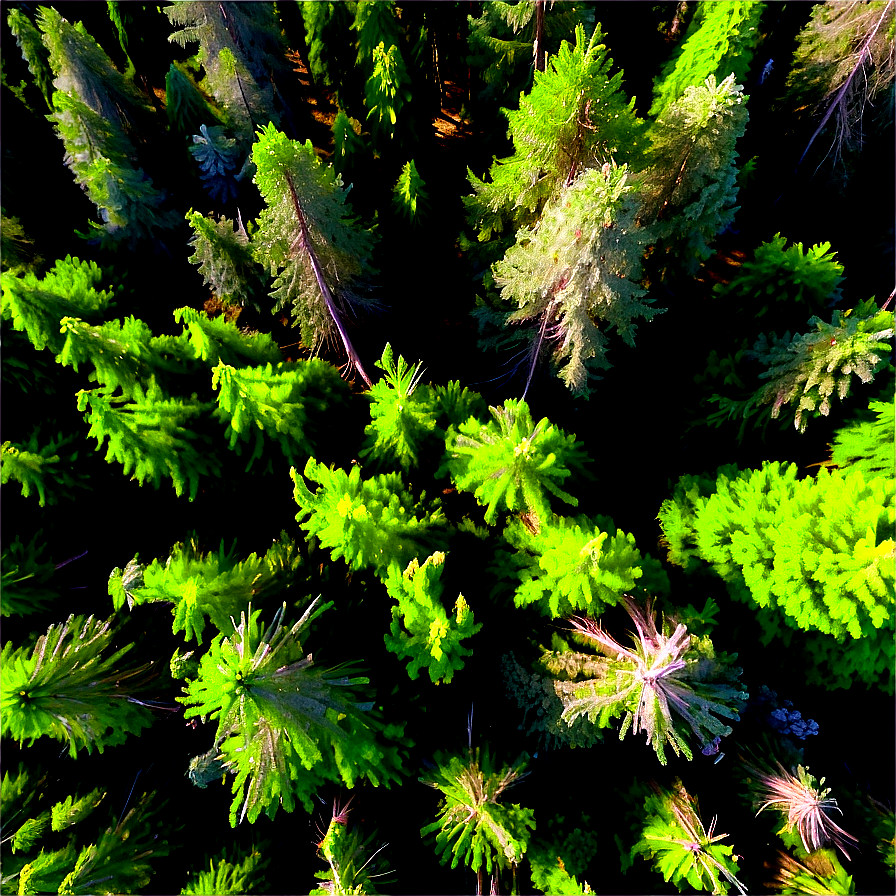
[510,462]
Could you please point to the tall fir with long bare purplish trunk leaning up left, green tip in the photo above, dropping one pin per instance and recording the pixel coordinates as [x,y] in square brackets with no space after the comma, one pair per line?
[308,240]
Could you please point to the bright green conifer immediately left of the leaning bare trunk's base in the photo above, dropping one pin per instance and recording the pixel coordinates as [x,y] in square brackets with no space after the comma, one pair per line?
[283,405]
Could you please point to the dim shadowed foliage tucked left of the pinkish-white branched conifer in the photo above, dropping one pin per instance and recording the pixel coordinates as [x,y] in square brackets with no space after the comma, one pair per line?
[538,694]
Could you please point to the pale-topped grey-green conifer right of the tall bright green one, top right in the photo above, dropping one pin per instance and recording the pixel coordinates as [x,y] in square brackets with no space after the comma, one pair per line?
[691,185]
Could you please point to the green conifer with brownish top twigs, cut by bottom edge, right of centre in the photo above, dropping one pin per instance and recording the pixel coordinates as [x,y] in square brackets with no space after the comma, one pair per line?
[674,837]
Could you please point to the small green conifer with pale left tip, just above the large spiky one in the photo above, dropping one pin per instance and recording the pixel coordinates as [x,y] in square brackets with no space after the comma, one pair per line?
[197,584]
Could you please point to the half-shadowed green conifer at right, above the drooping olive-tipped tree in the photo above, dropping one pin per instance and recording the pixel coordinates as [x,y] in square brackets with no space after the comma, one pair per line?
[793,275]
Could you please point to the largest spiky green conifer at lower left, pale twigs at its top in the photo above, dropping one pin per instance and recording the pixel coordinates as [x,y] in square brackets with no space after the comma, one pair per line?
[285,726]
